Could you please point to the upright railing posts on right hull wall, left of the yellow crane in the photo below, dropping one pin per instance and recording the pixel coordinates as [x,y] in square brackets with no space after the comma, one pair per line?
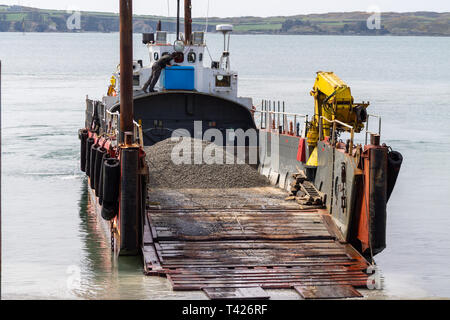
[276,119]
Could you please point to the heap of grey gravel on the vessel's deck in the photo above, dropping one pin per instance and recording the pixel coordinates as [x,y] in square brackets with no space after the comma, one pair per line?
[164,173]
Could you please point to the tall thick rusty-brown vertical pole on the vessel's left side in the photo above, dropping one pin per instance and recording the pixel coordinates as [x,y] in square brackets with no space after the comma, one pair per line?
[126,68]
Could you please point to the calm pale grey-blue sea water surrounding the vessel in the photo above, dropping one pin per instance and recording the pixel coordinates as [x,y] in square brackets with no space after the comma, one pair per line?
[53,247]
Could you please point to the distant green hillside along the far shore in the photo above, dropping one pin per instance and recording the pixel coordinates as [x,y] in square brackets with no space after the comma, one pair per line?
[25,19]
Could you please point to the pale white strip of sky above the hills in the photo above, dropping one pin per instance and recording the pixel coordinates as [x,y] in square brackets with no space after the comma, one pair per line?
[235,8]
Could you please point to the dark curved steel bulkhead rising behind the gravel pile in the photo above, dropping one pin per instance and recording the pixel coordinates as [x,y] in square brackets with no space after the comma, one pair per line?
[162,113]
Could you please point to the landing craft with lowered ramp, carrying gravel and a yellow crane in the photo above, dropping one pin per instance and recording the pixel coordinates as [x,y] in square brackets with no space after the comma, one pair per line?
[315,228]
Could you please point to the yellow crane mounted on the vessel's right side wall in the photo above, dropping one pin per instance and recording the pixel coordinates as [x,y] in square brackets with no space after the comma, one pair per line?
[333,101]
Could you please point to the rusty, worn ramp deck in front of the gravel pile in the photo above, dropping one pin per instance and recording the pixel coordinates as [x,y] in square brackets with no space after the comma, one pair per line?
[234,243]
